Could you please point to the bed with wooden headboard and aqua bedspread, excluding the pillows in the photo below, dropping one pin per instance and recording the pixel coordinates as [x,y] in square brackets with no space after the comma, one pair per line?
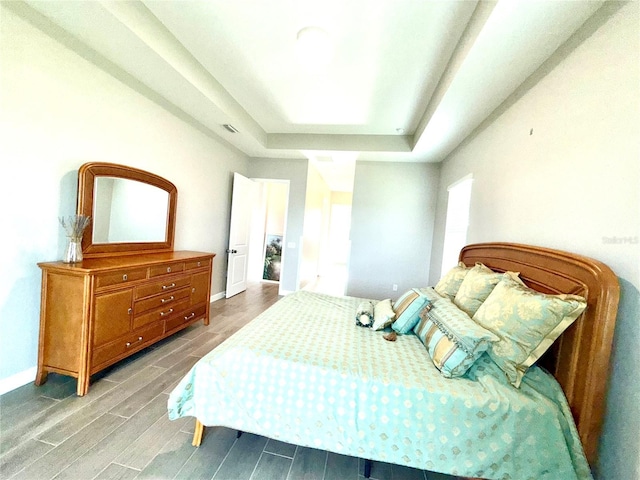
[303,373]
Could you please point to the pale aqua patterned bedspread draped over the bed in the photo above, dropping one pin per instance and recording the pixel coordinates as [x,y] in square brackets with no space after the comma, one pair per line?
[302,372]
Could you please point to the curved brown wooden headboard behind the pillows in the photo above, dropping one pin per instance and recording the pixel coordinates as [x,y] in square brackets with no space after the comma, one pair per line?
[579,359]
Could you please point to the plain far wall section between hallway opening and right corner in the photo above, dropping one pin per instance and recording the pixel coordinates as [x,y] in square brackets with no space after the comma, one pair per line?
[392,222]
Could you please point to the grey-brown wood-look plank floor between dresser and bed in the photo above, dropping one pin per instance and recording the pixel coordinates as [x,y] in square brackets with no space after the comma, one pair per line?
[120,429]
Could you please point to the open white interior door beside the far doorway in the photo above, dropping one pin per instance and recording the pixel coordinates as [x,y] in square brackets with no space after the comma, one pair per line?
[242,202]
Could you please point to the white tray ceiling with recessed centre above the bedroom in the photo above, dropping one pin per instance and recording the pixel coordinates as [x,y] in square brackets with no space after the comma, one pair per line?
[408,79]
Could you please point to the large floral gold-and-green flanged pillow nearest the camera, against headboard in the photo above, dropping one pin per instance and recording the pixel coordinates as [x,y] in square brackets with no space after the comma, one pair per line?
[527,323]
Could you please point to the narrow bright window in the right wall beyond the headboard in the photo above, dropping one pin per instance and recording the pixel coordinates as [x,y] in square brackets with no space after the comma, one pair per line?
[455,233]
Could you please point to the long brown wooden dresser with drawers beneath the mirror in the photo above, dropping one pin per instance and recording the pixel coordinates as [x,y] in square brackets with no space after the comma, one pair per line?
[101,310]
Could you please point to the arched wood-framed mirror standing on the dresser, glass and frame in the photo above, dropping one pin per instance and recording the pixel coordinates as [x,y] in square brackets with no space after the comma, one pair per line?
[132,211]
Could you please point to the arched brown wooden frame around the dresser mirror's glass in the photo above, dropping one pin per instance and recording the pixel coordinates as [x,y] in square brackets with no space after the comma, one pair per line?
[87,174]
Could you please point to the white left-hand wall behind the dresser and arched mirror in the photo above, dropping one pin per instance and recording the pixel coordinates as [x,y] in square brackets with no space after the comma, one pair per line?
[57,112]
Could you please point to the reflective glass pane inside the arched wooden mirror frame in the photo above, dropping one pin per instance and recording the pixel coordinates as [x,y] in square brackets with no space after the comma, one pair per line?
[126,210]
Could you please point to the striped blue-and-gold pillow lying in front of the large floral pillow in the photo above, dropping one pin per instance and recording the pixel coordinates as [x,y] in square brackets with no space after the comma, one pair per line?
[454,341]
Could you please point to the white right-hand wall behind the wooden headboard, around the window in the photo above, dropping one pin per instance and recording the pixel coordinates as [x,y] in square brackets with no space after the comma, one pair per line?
[573,185]
